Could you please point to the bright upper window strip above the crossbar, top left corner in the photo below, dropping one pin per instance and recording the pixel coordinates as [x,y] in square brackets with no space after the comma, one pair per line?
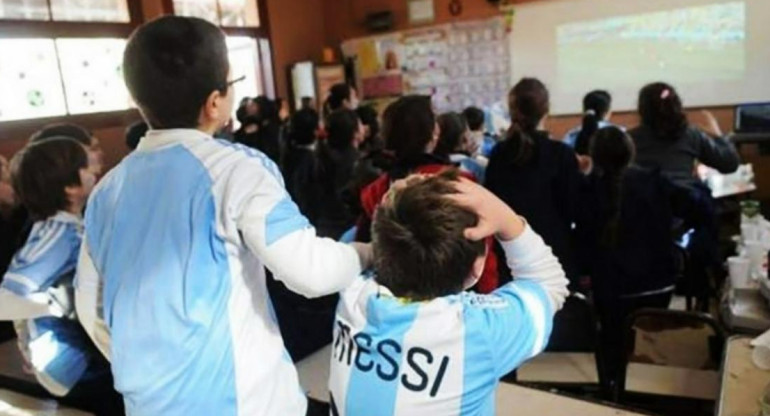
[66,10]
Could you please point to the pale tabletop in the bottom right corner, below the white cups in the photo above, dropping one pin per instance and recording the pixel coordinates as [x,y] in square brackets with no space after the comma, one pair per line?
[742,382]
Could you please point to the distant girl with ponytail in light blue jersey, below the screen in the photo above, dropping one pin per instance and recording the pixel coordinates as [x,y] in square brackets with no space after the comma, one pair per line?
[597,110]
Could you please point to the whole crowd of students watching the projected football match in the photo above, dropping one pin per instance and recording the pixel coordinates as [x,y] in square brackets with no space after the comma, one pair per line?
[440,252]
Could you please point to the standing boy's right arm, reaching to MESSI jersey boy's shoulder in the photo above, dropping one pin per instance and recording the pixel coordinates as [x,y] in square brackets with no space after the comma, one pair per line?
[273,228]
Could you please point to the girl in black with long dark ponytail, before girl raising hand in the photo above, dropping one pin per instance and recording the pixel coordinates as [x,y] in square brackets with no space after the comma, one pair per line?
[624,234]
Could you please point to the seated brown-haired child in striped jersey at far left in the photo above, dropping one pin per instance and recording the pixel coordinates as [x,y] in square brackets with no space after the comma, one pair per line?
[53,180]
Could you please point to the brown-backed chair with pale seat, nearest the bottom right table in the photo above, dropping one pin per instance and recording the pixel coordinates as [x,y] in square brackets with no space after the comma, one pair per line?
[672,359]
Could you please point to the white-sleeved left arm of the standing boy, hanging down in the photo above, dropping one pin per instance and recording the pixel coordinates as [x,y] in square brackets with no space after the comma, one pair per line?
[88,301]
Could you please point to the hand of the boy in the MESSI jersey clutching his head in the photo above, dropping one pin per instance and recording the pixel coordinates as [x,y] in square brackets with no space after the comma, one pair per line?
[495,216]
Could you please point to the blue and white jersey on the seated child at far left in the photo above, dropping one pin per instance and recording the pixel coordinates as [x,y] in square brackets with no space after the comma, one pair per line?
[57,348]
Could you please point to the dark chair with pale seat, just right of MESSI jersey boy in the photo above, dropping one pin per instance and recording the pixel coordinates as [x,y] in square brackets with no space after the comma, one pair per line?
[572,359]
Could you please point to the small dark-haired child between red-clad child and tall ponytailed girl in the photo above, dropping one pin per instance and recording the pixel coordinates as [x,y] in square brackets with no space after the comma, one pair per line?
[455,142]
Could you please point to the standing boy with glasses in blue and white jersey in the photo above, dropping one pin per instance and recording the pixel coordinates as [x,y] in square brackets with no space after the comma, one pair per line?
[171,277]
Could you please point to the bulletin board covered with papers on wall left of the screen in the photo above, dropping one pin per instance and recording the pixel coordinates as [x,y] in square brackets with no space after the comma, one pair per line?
[458,64]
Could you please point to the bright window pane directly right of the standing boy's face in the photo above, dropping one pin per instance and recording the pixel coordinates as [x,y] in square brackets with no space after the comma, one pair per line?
[244,61]
